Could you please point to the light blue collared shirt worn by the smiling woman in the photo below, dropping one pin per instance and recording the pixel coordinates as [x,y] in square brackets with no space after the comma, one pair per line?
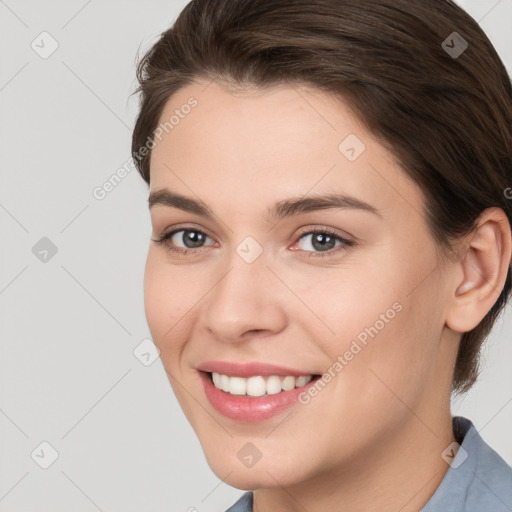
[478,479]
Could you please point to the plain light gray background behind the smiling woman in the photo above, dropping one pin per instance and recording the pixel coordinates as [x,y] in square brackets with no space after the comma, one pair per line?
[70,324]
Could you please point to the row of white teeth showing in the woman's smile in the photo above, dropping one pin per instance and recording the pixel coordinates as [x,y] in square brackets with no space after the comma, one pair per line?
[258,386]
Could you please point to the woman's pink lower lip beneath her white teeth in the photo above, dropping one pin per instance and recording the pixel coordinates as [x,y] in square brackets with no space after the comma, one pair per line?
[250,409]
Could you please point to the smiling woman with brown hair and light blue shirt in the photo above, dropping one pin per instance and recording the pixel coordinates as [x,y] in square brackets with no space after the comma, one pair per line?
[331,245]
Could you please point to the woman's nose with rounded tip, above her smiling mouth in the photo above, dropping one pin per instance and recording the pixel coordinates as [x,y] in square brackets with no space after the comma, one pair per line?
[247,302]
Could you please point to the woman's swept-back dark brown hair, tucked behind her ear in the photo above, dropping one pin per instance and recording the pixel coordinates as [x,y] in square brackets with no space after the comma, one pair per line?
[447,118]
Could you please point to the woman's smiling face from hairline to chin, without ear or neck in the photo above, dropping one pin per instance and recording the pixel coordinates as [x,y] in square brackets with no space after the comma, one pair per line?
[260,283]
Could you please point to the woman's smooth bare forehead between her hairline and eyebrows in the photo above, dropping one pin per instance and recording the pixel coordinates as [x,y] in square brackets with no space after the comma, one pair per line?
[285,140]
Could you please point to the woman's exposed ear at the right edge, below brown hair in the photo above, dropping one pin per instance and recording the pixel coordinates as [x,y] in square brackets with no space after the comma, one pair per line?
[484,265]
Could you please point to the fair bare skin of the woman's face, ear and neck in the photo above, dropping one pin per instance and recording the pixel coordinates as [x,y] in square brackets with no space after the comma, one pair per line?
[372,439]
